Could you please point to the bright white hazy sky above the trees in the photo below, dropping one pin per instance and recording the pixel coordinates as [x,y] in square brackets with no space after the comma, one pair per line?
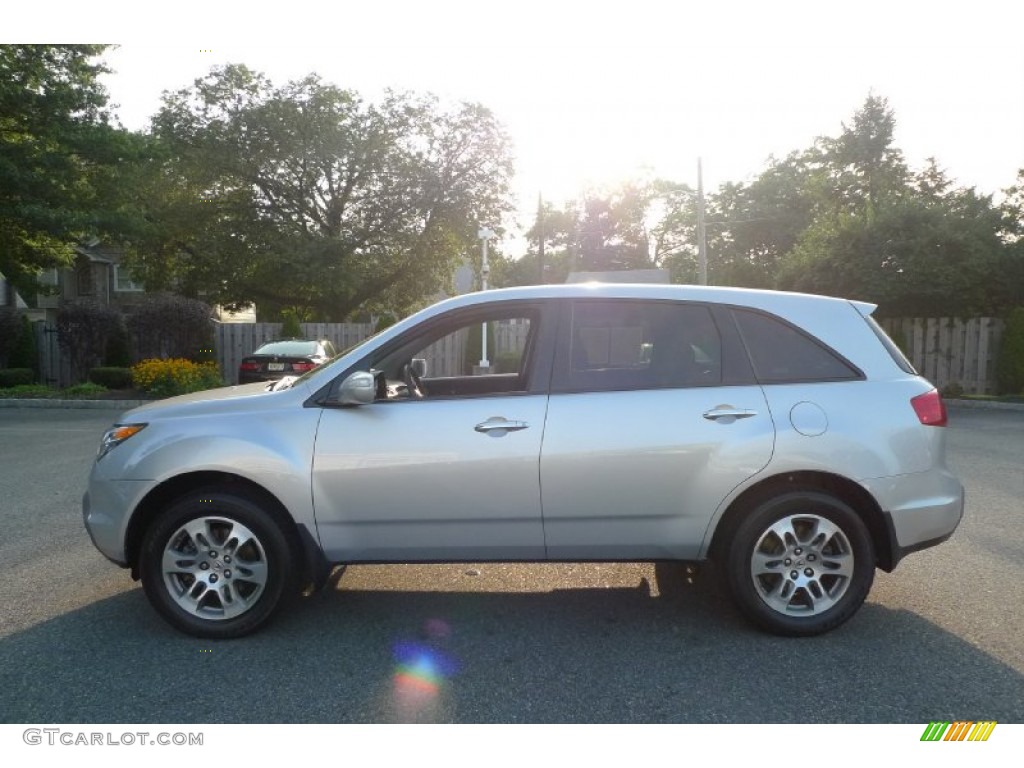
[599,93]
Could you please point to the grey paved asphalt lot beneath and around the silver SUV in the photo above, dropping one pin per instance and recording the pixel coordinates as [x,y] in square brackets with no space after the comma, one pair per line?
[941,639]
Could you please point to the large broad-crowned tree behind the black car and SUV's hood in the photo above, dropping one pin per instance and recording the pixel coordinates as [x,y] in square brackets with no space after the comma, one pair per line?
[308,198]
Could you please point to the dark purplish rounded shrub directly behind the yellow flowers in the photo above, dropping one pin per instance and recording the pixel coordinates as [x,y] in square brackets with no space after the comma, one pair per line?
[168,326]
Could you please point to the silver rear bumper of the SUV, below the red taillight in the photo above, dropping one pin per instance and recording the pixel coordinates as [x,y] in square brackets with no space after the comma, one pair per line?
[922,510]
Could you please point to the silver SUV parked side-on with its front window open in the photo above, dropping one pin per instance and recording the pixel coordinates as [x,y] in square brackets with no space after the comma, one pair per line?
[784,437]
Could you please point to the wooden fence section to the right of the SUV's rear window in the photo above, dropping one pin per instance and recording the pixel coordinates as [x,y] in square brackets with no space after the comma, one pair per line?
[951,353]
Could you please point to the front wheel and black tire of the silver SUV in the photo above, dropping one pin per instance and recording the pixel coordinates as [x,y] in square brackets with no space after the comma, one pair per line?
[217,565]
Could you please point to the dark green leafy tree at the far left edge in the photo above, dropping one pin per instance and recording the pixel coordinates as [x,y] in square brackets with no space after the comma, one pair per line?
[61,158]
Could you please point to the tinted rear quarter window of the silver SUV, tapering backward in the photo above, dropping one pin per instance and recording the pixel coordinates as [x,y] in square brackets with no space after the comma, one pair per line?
[783,354]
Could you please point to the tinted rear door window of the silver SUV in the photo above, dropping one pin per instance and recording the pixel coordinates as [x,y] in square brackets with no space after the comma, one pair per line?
[641,346]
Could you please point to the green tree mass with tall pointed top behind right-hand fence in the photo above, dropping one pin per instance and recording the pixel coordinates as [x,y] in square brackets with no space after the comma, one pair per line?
[913,243]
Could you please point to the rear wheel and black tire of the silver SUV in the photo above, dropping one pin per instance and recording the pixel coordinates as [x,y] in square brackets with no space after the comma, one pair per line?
[800,565]
